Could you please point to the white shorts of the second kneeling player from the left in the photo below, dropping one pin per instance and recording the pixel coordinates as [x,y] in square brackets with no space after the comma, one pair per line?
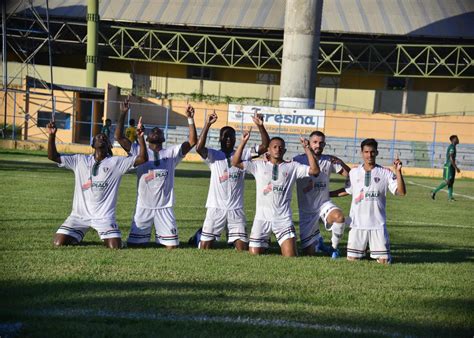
[166,232]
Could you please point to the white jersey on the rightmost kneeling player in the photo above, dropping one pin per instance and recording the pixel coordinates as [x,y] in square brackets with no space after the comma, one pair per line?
[369,190]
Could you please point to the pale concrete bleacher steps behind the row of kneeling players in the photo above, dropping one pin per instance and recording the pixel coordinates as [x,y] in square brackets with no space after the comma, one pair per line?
[413,154]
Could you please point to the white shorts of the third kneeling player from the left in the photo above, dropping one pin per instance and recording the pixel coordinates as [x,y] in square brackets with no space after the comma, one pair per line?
[216,221]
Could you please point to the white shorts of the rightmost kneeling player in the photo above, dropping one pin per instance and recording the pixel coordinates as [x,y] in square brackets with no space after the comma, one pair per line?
[379,243]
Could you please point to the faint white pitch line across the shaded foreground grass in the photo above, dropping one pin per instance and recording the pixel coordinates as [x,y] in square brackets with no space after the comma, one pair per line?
[103,314]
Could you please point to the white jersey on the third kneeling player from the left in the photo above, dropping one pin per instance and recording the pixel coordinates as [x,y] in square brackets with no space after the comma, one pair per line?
[226,190]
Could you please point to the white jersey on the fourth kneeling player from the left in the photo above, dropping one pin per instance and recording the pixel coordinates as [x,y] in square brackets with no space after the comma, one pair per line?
[274,184]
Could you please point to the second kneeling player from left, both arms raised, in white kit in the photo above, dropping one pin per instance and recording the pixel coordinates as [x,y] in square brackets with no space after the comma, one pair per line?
[155,186]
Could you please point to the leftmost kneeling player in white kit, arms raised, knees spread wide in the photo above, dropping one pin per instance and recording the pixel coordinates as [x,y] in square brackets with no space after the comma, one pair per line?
[97,178]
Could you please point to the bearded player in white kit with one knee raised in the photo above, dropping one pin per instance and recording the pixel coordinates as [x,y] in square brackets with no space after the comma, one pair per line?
[314,202]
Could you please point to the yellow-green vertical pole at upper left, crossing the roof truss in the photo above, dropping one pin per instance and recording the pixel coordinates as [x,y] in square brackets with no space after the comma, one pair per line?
[92,34]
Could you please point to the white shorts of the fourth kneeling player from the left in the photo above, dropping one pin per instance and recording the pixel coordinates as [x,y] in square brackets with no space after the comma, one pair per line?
[261,231]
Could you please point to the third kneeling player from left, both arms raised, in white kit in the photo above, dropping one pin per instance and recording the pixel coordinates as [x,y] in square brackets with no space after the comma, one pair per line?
[226,190]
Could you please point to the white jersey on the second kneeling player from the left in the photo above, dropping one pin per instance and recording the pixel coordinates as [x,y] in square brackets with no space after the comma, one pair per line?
[156,177]
